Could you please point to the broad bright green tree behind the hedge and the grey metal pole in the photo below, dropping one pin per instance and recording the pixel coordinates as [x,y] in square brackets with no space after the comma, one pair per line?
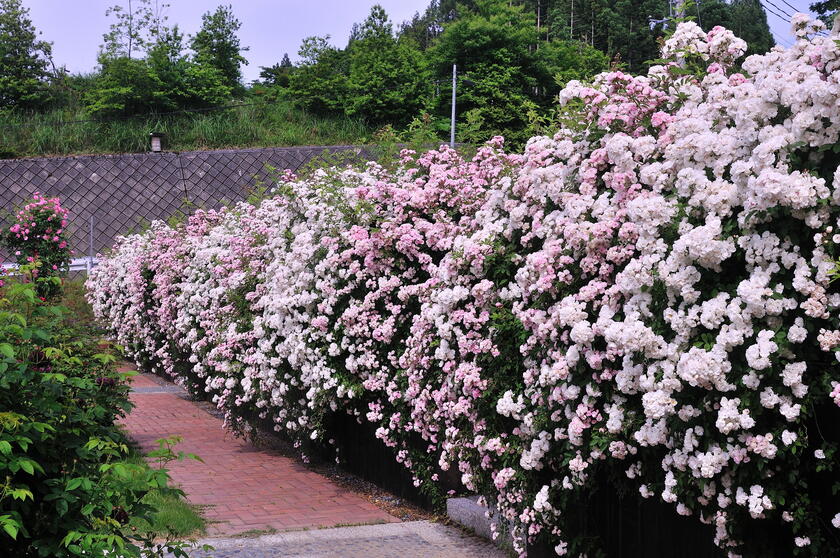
[511,71]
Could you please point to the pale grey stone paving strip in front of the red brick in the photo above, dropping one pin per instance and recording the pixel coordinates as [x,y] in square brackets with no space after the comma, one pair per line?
[415,539]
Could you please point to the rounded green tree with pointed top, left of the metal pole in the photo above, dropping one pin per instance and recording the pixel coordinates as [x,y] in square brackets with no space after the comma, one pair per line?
[388,80]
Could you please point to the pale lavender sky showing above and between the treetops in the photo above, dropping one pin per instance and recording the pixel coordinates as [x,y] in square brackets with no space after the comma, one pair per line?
[269,27]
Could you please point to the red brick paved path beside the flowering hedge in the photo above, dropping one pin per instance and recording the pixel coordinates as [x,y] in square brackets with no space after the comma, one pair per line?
[244,488]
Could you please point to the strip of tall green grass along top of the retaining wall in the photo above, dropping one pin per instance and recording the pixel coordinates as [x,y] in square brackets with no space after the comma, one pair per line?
[265,125]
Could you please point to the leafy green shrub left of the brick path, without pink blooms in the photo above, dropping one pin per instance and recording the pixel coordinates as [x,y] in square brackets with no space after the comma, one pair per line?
[66,488]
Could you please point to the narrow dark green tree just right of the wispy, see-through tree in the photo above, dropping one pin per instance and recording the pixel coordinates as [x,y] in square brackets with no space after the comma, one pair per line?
[216,44]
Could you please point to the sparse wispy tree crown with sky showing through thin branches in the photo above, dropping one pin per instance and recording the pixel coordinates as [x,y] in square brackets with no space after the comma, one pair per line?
[136,25]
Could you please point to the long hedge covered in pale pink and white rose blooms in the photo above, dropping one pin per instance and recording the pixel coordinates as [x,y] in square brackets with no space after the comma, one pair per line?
[648,291]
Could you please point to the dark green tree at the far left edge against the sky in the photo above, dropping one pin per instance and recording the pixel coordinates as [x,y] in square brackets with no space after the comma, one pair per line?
[23,59]
